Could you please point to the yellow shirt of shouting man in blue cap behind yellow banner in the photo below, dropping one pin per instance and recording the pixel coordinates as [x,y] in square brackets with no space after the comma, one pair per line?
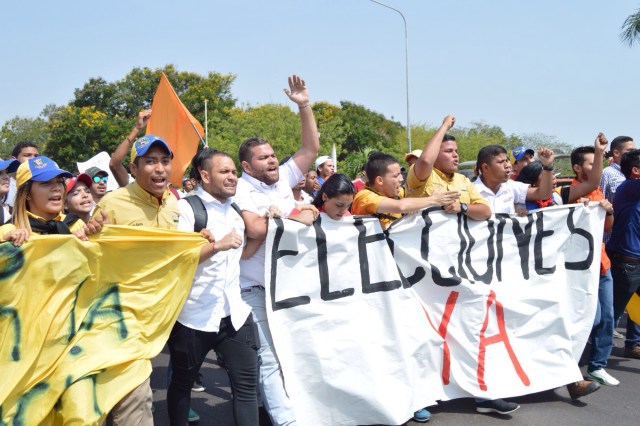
[133,206]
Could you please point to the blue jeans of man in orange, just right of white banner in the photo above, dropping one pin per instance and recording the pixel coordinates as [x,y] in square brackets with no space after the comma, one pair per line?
[602,332]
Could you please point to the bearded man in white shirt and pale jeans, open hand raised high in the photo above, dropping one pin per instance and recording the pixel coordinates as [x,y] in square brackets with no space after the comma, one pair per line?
[265,183]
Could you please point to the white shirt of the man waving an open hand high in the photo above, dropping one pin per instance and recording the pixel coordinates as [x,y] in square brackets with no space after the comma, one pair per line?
[256,196]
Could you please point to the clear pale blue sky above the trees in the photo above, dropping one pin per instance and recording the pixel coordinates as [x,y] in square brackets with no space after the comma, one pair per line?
[555,67]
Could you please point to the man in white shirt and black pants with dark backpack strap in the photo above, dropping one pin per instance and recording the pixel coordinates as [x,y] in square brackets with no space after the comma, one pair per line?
[214,316]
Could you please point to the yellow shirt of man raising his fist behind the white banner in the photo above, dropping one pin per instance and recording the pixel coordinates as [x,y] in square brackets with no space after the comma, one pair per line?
[437,180]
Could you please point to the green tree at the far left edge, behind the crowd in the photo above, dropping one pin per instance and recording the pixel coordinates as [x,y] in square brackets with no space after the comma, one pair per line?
[18,129]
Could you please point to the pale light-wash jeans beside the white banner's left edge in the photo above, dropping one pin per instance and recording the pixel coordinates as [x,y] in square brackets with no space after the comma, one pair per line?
[271,383]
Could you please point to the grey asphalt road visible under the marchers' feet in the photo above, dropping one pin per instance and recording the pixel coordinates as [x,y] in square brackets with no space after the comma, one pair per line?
[610,405]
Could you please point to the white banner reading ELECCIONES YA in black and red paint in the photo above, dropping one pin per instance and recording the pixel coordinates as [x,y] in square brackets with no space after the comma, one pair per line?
[507,306]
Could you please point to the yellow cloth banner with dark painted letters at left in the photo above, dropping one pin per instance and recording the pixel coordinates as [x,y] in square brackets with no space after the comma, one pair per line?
[79,321]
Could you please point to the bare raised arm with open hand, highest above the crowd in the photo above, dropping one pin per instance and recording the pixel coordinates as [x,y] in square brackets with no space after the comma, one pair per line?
[310,141]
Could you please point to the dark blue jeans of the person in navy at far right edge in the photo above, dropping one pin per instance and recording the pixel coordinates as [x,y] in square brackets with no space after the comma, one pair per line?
[626,281]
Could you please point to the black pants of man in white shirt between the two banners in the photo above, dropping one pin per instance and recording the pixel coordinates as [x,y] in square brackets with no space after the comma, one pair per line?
[189,347]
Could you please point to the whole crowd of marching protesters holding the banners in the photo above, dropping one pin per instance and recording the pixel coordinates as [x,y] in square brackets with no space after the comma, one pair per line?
[225,310]
